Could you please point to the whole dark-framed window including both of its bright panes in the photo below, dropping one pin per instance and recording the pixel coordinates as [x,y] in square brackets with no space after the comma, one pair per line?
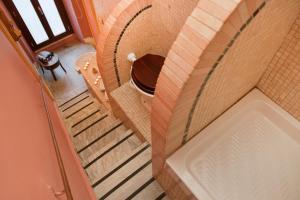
[41,21]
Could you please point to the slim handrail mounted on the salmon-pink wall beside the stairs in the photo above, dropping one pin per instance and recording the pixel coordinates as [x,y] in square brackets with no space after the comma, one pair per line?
[67,189]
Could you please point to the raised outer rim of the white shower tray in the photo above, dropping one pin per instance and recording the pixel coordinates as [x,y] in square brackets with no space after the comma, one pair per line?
[178,161]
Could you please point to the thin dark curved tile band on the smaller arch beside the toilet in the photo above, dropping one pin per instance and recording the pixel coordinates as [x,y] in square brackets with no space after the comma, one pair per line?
[120,38]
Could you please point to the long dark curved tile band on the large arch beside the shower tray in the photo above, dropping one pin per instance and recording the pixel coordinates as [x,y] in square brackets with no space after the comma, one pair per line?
[216,64]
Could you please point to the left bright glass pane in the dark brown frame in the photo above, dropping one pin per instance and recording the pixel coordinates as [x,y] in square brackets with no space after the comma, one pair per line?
[31,20]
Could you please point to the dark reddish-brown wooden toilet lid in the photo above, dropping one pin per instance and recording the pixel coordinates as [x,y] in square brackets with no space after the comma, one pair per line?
[145,72]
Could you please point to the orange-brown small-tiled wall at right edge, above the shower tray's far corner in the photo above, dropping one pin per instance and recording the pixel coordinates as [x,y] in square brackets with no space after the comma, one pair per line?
[281,81]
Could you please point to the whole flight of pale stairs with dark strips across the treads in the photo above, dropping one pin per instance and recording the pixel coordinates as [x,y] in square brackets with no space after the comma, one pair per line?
[116,162]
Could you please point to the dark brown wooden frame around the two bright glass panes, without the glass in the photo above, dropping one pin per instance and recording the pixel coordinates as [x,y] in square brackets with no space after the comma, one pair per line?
[25,31]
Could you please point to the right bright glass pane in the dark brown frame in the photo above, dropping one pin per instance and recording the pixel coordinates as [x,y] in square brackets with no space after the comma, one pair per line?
[53,17]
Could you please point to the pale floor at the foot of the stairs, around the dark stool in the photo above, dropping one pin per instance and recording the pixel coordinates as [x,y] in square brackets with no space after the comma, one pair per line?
[71,83]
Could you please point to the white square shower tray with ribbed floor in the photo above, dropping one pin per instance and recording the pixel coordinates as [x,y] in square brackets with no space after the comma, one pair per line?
[251,152]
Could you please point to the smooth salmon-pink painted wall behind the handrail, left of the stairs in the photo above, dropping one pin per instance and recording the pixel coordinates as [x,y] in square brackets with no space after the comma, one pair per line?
[28,162]
